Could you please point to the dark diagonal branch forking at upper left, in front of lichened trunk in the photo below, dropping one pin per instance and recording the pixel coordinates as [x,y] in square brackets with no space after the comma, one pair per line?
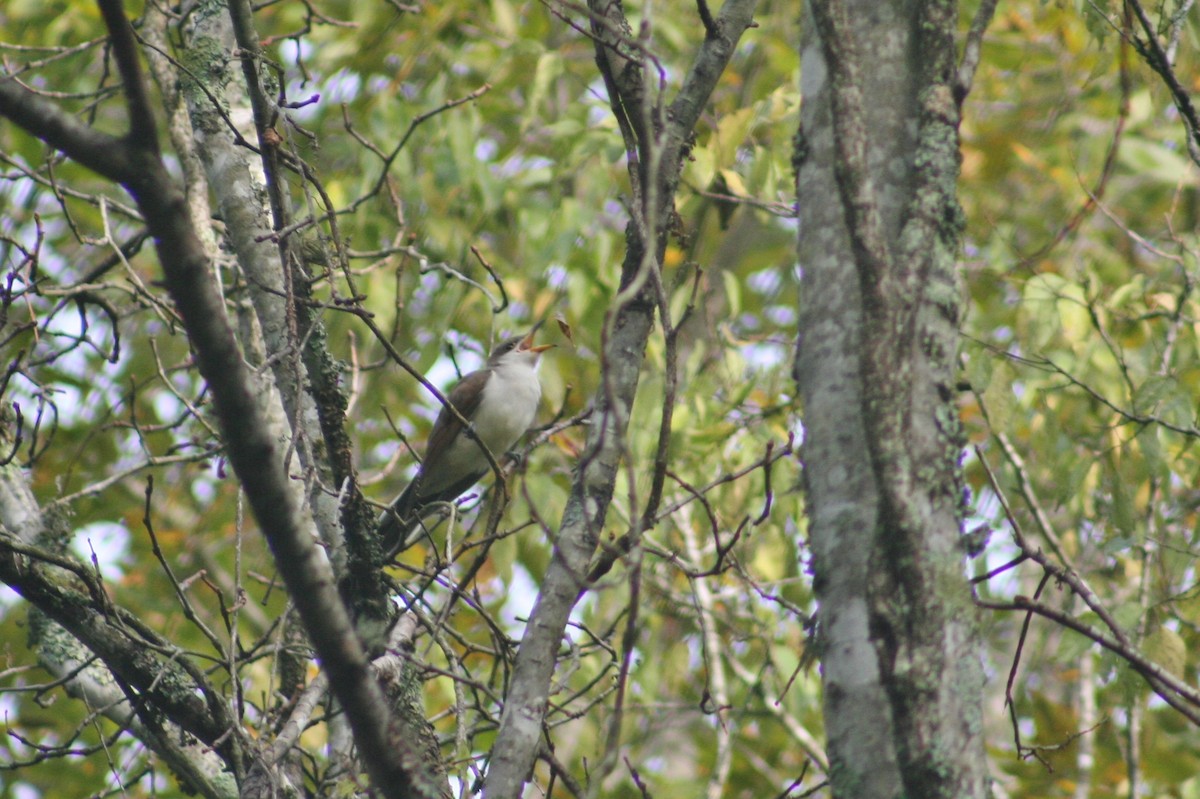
[255,455]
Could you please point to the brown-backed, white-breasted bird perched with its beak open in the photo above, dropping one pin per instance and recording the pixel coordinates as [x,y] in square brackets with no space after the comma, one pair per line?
[500,402]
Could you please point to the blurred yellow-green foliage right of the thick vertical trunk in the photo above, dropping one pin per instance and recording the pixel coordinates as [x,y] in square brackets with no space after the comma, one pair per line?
[1081,265]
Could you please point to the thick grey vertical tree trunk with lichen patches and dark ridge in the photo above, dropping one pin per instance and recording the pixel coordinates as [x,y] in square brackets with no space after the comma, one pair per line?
[877,166]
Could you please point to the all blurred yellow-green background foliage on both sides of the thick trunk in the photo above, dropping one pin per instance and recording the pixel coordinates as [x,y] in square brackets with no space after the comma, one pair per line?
[1081,351]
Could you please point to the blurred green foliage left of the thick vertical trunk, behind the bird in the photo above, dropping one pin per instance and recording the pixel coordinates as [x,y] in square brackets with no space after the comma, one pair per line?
[531,172]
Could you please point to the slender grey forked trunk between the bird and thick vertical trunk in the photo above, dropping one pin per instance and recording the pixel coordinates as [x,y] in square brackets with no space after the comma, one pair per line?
[628,329]
